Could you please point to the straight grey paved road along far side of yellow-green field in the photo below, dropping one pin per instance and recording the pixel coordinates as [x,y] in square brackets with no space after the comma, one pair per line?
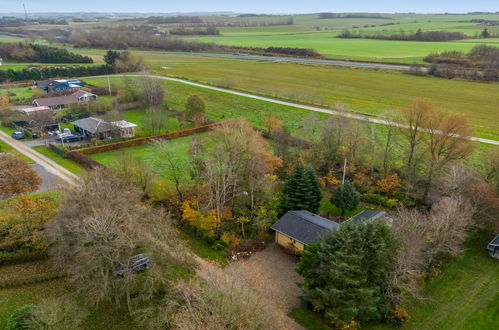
[293,59]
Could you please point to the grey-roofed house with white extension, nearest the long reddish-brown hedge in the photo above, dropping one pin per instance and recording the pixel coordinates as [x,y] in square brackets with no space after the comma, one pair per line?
[96,127]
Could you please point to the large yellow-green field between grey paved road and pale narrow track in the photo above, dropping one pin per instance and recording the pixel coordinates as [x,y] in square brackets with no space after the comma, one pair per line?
[365,91]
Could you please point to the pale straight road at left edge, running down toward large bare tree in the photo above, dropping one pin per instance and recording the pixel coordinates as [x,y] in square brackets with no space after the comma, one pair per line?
[45,162]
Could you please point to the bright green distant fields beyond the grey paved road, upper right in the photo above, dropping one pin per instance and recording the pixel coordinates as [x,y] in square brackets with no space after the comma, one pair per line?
[308,31]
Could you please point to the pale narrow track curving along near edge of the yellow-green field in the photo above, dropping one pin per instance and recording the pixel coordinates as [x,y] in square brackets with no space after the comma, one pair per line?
[295,105]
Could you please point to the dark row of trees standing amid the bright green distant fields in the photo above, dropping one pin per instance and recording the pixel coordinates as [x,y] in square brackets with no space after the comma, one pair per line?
[419,35]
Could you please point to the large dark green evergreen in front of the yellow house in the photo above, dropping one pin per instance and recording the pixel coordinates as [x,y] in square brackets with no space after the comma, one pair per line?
[346,273]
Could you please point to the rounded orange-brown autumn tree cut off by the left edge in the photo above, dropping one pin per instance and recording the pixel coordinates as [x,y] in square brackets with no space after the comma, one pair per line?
[16,176]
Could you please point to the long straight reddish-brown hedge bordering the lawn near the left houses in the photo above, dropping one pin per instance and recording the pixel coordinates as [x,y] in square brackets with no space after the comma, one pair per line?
[146,140]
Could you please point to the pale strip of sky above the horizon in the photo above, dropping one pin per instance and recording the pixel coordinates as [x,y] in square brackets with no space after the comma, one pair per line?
[252,6]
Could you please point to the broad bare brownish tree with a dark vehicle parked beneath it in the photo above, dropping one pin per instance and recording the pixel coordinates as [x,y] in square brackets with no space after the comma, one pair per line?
[102,224]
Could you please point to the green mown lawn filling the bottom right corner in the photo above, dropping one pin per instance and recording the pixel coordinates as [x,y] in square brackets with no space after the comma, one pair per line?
[466,295]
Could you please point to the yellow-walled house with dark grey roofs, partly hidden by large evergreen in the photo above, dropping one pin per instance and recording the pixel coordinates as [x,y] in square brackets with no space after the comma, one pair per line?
[296,229]
